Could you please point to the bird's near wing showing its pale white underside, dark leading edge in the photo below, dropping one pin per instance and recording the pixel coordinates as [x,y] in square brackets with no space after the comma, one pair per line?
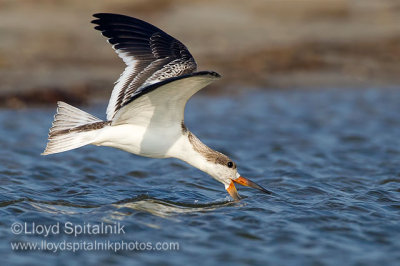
[161,105]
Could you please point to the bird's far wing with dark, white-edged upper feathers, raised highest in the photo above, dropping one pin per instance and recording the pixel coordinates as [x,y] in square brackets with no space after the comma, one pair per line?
[150,54]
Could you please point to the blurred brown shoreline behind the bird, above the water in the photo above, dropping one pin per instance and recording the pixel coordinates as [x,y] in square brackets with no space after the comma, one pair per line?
[49,51]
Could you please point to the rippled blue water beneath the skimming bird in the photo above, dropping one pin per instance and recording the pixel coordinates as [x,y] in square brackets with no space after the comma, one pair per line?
[332,159]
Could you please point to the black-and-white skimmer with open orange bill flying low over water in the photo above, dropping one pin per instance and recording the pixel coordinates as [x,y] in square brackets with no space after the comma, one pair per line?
[145,113]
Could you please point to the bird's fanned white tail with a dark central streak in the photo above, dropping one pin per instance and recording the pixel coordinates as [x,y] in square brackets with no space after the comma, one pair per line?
[72,128]
